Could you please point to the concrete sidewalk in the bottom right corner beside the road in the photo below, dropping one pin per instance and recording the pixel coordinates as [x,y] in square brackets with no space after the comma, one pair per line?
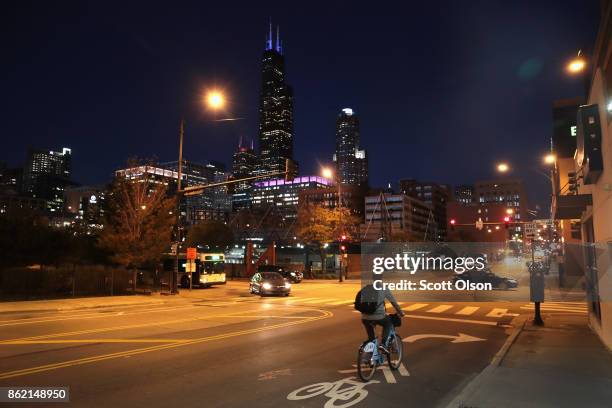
[563,364]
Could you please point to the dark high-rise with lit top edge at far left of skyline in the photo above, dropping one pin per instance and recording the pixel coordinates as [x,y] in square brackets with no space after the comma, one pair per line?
[46,175]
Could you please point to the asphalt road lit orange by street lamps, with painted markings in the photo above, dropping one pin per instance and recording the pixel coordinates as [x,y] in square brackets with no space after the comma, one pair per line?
[223,347]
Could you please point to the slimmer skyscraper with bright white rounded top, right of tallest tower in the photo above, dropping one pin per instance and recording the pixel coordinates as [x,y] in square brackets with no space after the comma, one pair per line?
[351,160]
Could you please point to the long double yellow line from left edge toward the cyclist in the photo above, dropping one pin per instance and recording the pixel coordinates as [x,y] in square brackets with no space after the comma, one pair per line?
[87,360]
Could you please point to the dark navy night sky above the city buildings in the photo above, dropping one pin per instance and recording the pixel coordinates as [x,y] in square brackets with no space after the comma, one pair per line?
[443,90]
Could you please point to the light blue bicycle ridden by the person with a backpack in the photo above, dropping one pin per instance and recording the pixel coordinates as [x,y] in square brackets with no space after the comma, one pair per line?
[371,354]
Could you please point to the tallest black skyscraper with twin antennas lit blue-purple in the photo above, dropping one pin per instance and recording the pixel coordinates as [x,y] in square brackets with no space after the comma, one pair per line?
[275,110]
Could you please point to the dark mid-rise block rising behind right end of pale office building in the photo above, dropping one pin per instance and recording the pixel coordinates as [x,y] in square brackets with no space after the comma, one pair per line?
[436,196]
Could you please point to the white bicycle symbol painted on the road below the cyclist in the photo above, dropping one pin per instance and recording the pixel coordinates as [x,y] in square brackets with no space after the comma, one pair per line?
[342,393]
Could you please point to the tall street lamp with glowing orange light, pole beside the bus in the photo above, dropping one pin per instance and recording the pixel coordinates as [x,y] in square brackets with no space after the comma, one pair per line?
[214,100]
